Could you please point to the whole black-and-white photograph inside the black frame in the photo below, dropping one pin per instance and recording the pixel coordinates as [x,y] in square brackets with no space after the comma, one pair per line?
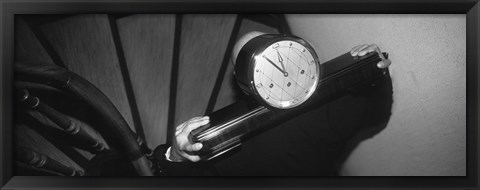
[240,95]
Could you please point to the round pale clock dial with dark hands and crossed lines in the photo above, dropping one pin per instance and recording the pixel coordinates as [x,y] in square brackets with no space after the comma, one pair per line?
[285,74]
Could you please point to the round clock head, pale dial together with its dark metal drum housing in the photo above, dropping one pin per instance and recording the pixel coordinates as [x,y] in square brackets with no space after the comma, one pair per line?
[280,71]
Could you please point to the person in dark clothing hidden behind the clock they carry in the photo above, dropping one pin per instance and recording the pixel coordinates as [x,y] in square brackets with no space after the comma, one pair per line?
[311,144]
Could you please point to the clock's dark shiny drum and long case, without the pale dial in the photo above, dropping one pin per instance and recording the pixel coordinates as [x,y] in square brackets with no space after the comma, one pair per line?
[230,126]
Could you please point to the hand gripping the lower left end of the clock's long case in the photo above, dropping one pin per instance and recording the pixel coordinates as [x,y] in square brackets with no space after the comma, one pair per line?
[182,149]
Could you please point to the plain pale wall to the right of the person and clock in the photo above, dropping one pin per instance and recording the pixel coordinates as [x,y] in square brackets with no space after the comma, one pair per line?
[426,133]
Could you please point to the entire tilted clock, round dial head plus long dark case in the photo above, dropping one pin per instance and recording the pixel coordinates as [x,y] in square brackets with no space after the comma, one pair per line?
[282,73]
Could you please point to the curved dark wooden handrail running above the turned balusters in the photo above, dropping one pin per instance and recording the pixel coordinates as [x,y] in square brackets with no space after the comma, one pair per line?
[123,137]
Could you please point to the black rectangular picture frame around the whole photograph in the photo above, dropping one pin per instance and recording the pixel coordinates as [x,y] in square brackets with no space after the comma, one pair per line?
[8,9]
